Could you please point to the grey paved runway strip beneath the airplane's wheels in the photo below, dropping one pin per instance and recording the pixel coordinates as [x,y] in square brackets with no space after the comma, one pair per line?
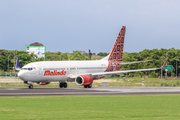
[88,91]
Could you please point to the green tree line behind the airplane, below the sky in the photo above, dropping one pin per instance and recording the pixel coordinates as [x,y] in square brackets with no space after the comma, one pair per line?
[8,59]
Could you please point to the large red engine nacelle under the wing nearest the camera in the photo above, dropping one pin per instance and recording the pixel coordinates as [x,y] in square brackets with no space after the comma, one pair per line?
[84,80]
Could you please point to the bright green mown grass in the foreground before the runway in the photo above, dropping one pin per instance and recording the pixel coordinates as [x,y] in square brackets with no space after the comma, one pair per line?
[143,107]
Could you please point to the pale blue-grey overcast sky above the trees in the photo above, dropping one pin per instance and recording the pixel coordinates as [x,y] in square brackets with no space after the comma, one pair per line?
[69,25]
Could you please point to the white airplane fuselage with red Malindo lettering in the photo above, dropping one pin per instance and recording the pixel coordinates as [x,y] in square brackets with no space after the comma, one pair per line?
[51,71]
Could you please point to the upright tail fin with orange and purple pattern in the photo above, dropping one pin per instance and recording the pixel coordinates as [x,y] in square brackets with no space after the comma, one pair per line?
[116,54]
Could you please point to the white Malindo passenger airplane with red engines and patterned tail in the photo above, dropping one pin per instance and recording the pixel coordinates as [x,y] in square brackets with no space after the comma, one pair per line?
[83,73]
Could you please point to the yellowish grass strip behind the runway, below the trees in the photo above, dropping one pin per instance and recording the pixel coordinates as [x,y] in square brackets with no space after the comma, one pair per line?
[117,82]
